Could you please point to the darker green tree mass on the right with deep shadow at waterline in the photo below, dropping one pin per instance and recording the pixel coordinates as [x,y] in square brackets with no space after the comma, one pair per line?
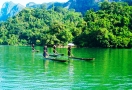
[109,27]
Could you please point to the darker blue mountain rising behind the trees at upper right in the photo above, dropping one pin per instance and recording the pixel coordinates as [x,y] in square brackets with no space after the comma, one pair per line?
[84,5]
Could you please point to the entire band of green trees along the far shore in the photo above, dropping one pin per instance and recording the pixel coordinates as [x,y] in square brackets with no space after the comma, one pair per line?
[111,26]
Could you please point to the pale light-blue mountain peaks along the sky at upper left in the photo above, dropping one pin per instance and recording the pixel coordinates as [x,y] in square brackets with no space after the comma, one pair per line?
[9,9]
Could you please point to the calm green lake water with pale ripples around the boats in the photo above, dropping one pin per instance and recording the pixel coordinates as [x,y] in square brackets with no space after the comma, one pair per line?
[22,69]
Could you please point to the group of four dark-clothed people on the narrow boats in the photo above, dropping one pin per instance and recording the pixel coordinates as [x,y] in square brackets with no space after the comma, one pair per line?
[45,50]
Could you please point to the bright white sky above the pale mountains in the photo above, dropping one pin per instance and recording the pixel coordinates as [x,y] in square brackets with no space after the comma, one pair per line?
[24,2]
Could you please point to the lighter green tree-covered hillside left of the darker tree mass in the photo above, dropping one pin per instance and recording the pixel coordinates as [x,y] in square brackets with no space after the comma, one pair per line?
[40,26]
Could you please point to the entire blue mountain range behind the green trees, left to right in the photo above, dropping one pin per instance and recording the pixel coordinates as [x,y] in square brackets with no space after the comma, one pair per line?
[9,9]
